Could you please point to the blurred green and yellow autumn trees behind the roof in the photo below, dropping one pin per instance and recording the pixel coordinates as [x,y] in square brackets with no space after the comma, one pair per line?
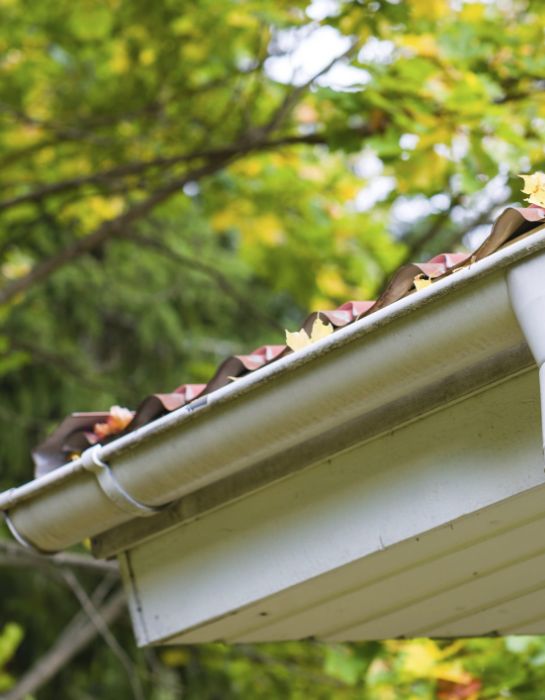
[181,181]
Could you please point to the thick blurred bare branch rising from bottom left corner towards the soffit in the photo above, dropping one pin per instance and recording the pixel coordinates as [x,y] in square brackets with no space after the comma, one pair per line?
[77,635]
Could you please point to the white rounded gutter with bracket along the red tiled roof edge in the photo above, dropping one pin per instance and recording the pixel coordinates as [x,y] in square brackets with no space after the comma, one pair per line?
[456,324]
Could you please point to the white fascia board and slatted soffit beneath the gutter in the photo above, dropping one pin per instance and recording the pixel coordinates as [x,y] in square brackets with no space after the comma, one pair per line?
[420,531]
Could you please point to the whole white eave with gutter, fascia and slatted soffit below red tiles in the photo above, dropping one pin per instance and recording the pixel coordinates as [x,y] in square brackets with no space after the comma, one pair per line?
[385,481]
